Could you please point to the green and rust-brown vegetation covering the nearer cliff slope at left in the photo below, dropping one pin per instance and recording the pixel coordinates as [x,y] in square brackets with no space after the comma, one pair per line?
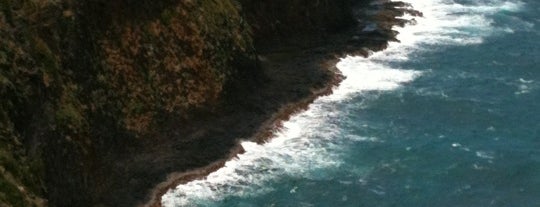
[162,65]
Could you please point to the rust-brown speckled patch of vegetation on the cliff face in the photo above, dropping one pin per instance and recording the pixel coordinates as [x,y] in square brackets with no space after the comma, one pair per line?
[177,61]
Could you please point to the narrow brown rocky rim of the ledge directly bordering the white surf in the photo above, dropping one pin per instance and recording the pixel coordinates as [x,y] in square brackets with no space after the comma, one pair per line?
[377,22]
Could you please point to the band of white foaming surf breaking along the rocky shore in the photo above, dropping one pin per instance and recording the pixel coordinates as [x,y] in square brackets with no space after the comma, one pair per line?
[307,141]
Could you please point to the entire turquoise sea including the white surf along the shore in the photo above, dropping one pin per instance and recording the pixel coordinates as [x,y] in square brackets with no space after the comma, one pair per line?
[448,117]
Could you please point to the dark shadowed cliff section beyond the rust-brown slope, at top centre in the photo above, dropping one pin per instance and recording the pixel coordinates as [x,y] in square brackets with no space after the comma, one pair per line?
[298,21]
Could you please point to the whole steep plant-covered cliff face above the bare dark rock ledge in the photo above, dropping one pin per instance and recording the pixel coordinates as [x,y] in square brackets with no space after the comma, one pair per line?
[83,80]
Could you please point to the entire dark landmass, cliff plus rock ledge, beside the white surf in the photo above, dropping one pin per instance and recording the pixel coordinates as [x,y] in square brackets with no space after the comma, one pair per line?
[102,100]
